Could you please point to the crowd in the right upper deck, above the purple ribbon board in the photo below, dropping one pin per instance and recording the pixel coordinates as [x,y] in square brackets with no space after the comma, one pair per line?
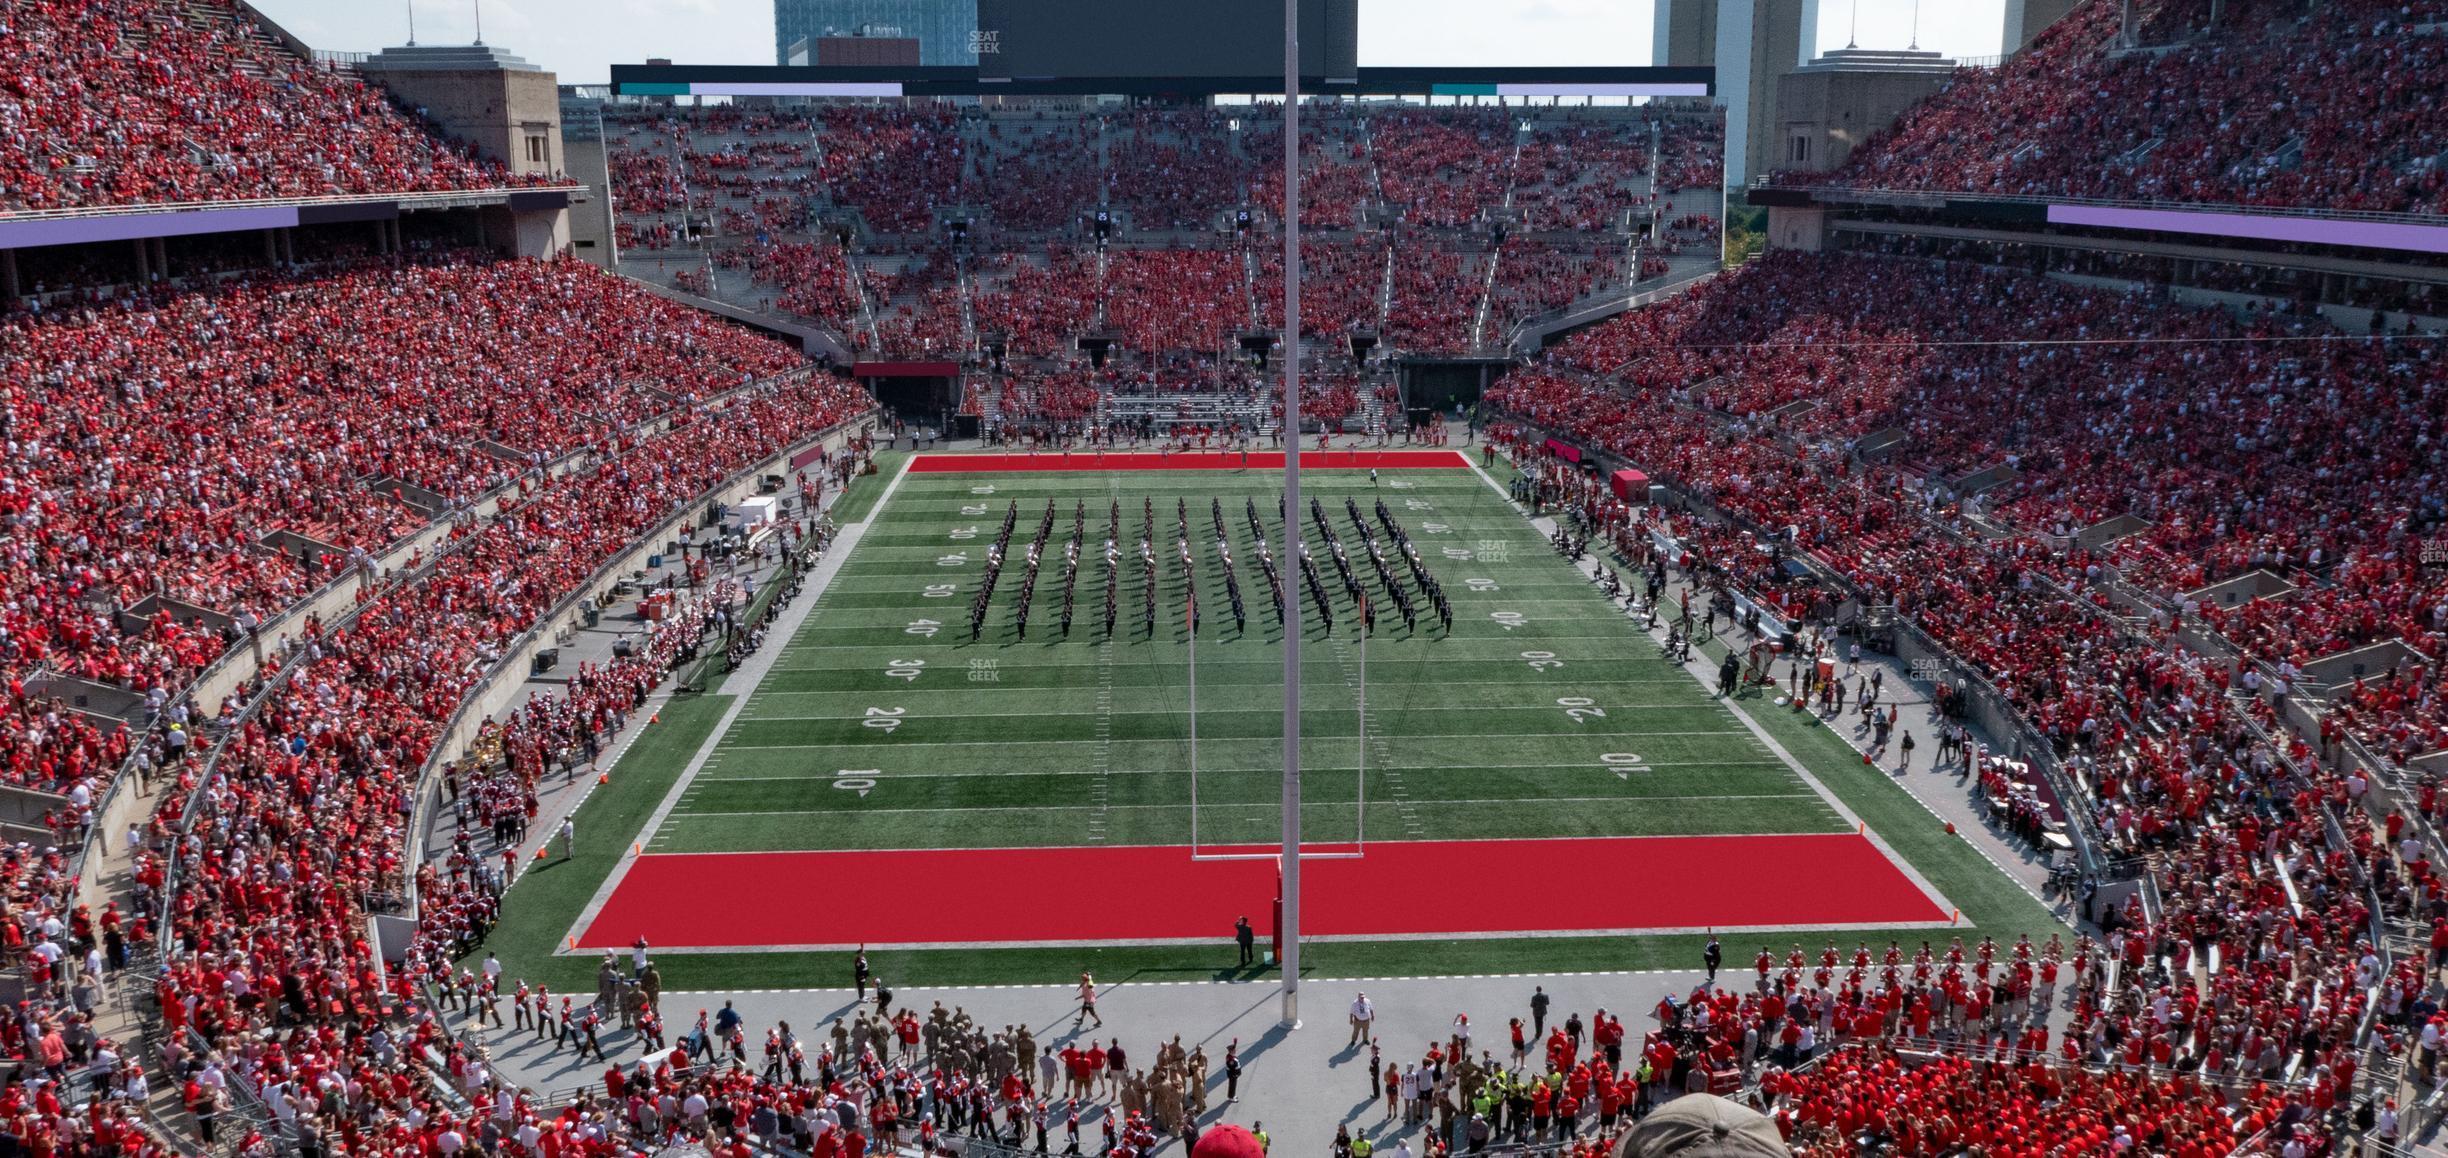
[2346,109]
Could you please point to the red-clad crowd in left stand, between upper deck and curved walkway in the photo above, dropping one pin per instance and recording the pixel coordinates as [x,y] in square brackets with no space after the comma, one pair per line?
[126,479]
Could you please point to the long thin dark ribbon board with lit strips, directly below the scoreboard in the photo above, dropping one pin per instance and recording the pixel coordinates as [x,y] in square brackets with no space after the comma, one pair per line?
[895,82]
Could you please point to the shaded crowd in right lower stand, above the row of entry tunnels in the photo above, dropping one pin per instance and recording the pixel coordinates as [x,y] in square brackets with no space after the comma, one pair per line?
[2302,420]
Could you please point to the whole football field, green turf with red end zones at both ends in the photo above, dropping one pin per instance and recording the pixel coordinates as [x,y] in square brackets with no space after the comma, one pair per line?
[1539,768]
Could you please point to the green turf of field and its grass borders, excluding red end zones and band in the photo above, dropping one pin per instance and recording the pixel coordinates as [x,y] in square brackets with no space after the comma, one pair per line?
[1546,714]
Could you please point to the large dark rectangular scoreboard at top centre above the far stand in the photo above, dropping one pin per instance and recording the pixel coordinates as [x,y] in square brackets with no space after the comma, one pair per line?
[1206,40]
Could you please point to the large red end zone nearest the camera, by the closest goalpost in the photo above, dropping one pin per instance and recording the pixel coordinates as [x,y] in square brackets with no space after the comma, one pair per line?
[1147,895]
